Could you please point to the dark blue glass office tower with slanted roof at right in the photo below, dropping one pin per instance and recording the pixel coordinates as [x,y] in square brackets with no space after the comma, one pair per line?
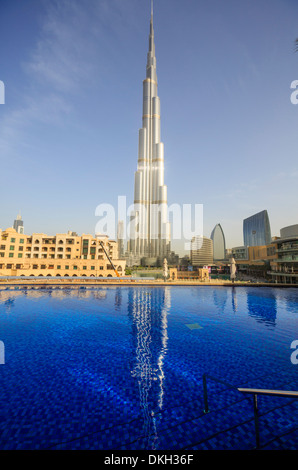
[256,229]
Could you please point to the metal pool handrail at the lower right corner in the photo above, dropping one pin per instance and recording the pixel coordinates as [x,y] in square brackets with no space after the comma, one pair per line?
[251,391]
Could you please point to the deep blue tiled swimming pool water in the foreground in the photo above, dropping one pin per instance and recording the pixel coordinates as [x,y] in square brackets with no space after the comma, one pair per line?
[121,367]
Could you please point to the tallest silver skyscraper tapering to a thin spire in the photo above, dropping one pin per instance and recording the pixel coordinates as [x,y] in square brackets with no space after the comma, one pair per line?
[150,230]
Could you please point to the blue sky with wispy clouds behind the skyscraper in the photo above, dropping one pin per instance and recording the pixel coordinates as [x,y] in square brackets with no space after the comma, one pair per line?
[73,74]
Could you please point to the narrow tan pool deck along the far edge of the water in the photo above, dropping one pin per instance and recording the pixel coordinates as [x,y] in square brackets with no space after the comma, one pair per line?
[134,282]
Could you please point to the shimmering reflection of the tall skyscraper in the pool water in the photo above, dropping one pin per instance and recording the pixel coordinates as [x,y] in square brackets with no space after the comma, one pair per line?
[148,311]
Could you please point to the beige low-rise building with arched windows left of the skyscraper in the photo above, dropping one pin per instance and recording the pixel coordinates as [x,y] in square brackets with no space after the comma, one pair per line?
[59,255]
